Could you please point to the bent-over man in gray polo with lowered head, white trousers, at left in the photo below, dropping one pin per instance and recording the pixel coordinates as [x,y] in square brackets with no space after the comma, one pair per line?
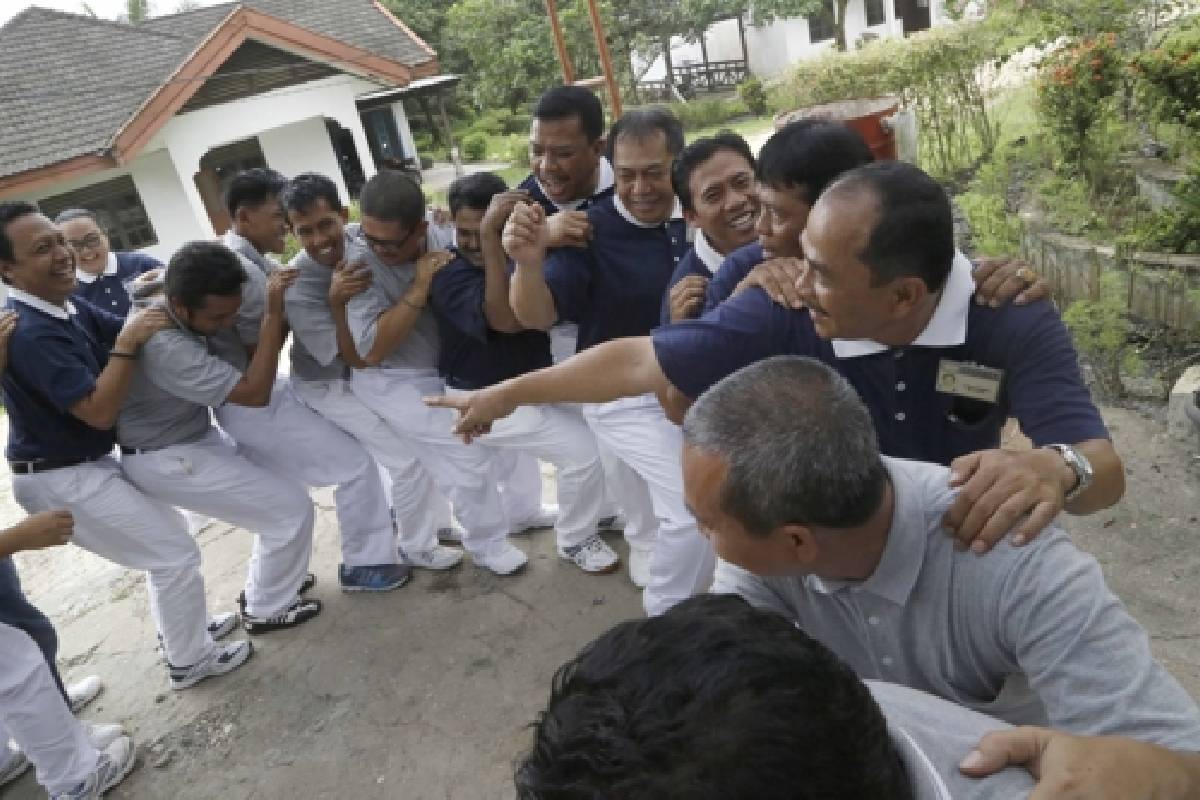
[171,450]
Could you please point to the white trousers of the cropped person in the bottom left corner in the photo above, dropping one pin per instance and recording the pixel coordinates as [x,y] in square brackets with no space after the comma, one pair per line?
[34,714]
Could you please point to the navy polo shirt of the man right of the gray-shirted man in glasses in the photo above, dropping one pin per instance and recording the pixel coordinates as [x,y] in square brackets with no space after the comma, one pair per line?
[472,356]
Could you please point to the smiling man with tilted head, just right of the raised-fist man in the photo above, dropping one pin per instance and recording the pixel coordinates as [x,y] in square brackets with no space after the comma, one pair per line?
[713,179]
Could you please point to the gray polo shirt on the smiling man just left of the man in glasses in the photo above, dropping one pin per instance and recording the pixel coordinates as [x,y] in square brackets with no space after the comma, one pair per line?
[315,352]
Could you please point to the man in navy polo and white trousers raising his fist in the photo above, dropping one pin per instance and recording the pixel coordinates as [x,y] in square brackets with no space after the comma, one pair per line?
[611,290]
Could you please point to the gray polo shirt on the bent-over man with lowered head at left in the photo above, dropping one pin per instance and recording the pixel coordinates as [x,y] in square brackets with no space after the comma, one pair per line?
[176,381]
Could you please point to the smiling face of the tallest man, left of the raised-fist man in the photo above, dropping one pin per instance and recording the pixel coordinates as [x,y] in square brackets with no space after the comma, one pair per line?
[563,160]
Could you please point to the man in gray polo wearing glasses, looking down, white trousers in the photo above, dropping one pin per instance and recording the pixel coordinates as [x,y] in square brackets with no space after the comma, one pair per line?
[397,336]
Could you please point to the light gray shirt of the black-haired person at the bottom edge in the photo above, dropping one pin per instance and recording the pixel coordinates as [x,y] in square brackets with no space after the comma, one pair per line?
[932,737]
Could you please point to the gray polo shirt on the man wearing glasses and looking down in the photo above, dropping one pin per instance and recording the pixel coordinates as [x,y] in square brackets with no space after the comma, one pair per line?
[388,286]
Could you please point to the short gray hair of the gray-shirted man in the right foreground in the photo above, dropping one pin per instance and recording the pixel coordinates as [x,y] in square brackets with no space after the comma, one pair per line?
[799,442]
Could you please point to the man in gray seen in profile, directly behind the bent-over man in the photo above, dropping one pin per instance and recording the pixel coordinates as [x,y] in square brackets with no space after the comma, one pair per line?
[286,436]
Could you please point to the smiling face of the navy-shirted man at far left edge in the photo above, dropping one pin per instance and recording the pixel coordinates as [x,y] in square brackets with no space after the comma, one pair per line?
[44,264]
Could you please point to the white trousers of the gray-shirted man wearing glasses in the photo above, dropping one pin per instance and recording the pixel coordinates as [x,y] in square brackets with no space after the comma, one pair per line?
[464,473]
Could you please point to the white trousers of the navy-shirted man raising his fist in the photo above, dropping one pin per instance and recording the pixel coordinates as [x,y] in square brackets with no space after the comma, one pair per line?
[640,435]
